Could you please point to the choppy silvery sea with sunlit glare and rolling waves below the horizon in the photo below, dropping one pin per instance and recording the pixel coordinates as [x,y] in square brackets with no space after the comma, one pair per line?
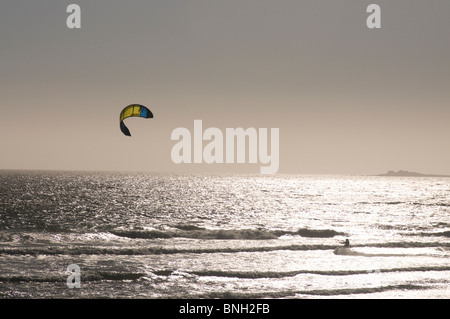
[137,235]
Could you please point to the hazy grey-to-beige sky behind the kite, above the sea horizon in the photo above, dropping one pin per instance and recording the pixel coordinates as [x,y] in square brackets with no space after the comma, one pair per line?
[347,100]
